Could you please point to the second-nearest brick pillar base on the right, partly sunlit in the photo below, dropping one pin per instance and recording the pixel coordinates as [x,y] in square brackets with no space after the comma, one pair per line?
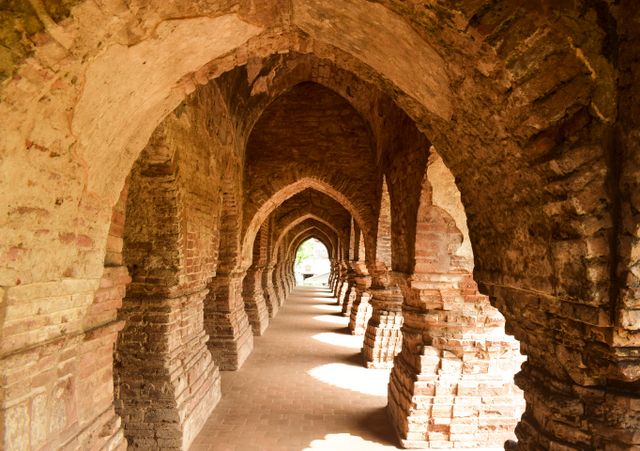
[383,336]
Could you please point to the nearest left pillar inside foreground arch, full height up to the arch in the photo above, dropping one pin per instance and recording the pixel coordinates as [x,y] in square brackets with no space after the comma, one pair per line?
[171,255]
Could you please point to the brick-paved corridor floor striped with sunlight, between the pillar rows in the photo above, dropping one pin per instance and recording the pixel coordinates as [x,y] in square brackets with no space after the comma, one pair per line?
[303,387]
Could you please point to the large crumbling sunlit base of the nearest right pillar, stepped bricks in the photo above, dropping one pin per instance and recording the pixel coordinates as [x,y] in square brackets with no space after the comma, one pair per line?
[452,383]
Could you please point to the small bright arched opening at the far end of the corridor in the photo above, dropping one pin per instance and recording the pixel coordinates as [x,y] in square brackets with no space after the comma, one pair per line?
[311,265]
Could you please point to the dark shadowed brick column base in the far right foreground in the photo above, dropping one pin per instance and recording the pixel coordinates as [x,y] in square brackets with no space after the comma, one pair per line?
[581,387]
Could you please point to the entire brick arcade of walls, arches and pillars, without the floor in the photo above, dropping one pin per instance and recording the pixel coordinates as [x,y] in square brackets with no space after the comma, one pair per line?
[147,147]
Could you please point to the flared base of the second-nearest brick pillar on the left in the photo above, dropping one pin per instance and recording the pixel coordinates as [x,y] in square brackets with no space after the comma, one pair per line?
[226,321]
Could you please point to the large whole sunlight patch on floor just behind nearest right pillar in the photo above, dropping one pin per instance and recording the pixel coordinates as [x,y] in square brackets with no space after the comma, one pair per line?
[358,379]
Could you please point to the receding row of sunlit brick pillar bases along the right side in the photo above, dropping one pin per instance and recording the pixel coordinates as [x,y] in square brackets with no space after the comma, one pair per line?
[445,387]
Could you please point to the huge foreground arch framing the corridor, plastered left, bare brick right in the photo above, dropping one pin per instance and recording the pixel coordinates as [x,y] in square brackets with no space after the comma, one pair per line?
[535,215]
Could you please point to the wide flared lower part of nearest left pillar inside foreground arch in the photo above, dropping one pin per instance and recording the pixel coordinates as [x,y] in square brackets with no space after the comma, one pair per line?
[166,383]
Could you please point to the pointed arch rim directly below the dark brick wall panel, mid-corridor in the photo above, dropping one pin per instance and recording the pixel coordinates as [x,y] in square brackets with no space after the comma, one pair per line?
[287,192]
